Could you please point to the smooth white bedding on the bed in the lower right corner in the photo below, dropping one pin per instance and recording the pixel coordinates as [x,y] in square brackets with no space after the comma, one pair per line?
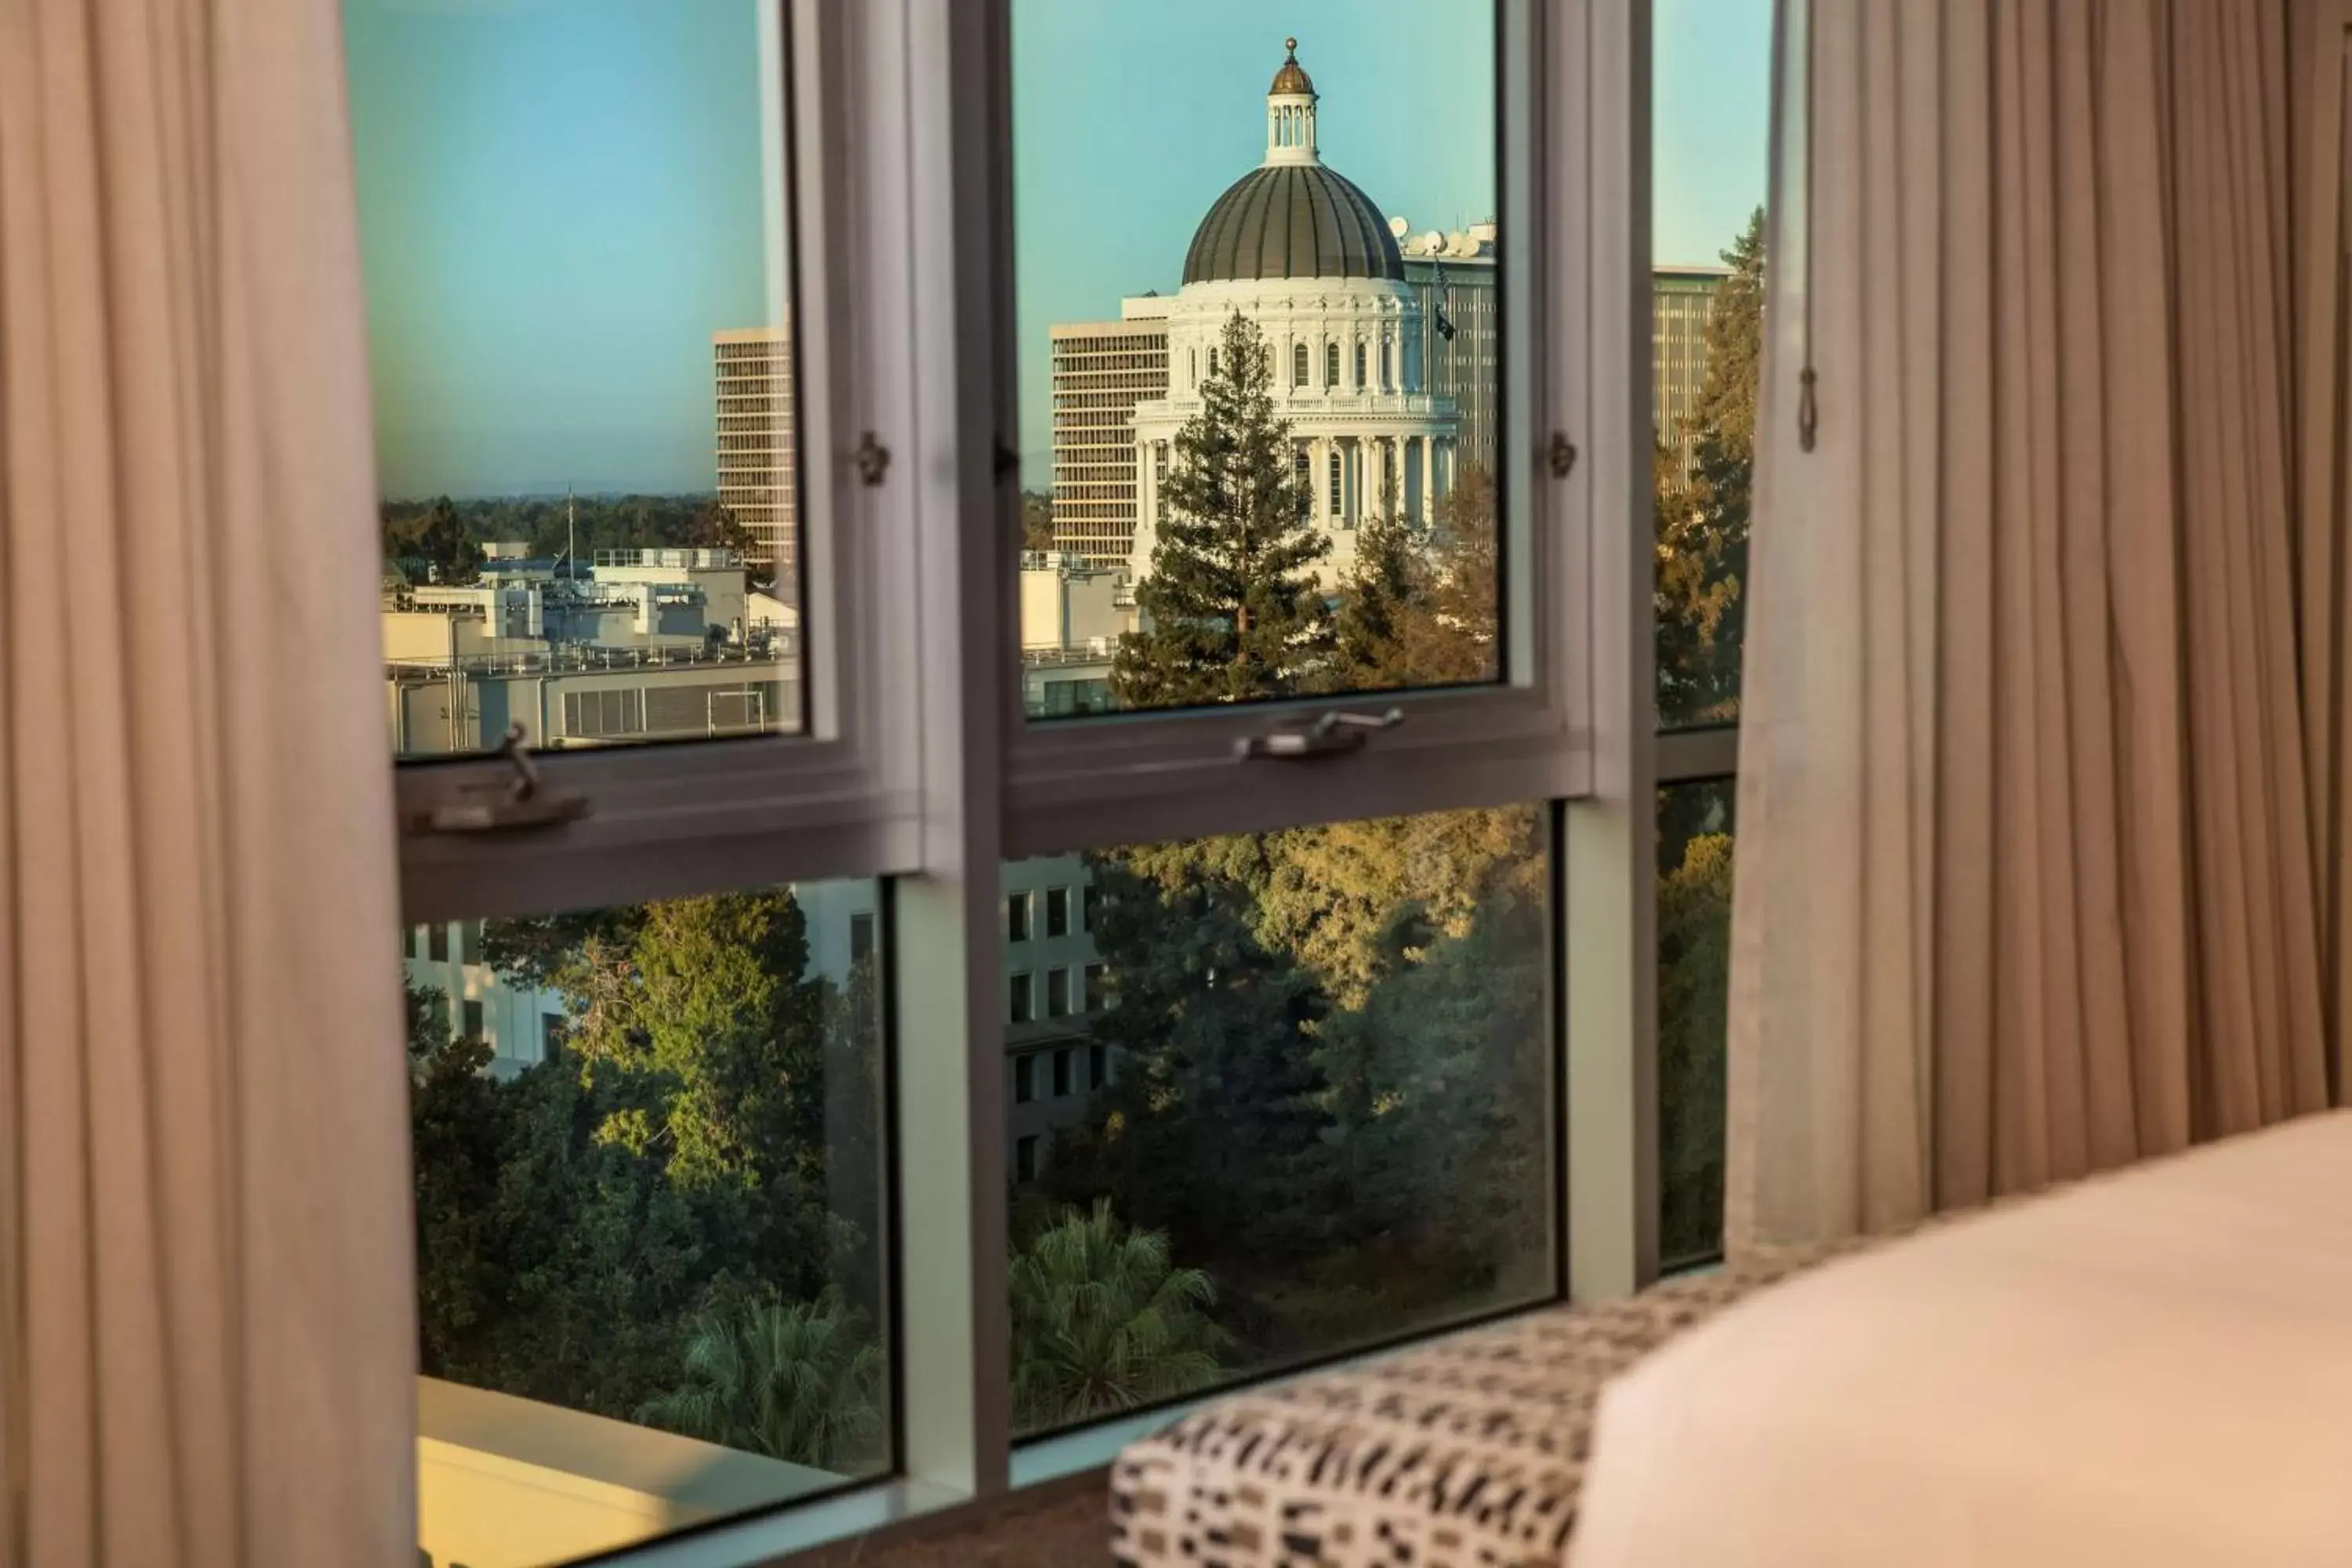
[2149,1369]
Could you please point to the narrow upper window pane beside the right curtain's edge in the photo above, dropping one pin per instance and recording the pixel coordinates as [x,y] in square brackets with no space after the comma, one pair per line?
[1709,138]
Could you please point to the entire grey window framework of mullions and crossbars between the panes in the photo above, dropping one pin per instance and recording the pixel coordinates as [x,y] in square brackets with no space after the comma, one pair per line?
[921,770]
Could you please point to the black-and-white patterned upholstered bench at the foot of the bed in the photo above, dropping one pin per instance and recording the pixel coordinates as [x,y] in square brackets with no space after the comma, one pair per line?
[1459,1454]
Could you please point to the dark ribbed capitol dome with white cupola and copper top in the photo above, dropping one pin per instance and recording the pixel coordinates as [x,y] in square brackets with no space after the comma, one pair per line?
[1292,217]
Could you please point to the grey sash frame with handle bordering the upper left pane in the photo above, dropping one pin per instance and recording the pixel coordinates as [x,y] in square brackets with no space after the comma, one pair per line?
[841,798]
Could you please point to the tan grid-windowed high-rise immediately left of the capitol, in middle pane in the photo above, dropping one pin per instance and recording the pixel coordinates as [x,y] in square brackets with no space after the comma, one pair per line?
[1102,373]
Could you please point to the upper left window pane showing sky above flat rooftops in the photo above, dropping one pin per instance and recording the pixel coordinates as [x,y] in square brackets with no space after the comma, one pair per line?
[582,344]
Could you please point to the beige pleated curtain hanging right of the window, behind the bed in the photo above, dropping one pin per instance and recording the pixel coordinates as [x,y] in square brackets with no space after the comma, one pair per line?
[2026,864]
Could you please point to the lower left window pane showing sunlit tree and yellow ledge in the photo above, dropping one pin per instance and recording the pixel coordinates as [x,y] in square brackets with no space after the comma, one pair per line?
[650,1212]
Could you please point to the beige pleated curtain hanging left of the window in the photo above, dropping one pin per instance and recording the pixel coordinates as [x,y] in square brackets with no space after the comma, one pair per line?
[206,1315]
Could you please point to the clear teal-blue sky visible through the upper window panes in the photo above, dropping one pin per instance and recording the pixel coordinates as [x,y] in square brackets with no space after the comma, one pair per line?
[561,199]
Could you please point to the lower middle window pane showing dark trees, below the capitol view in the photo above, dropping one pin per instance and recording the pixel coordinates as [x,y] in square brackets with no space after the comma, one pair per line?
[1316,1115]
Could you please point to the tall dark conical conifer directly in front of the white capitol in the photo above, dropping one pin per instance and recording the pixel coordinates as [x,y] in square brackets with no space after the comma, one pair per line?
[1231,605]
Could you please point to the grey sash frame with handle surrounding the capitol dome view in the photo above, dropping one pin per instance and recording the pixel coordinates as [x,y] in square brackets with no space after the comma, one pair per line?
[1530,737]
